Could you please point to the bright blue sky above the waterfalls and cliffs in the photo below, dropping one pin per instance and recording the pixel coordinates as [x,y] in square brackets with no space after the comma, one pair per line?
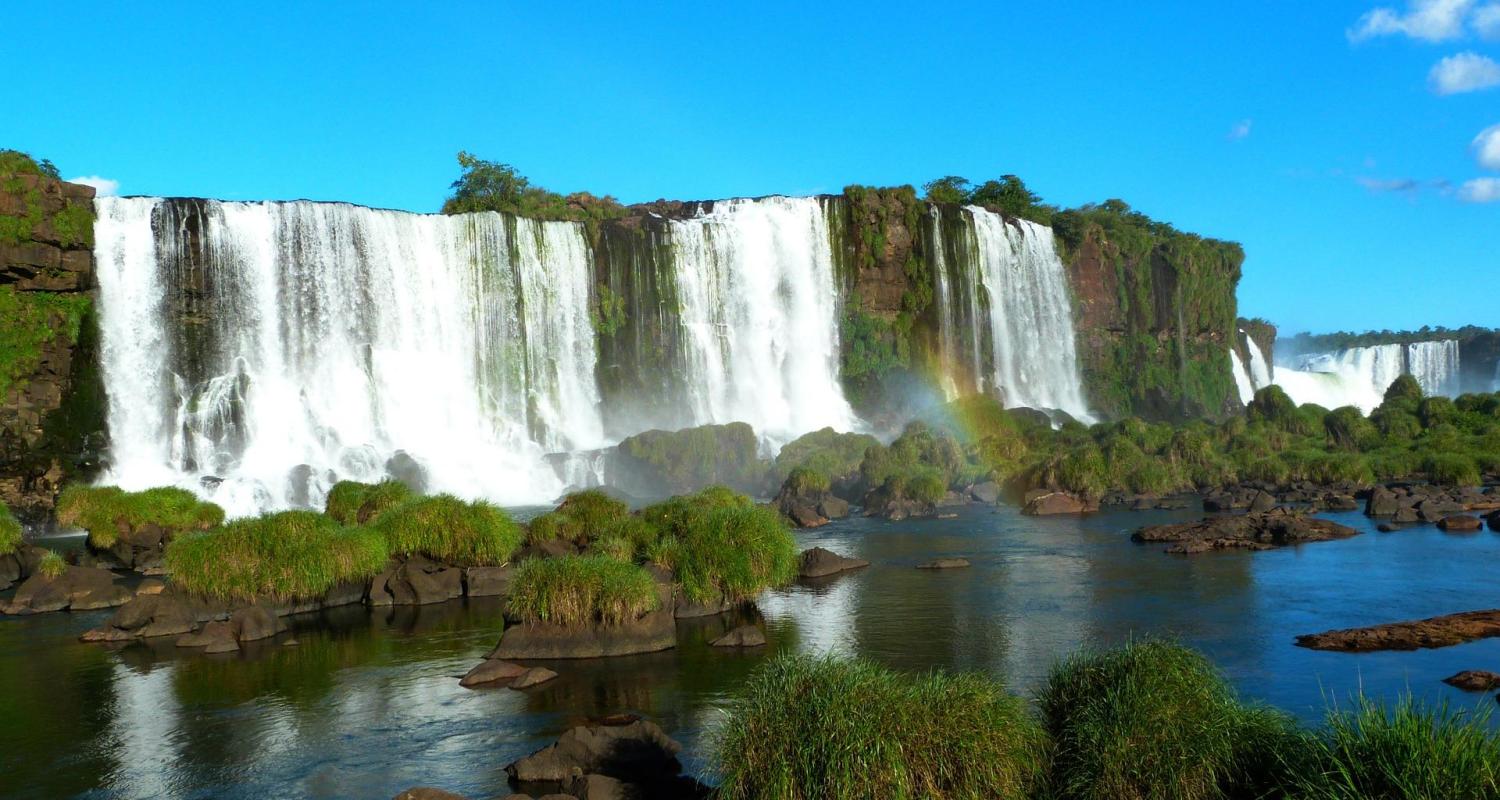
[1316,134]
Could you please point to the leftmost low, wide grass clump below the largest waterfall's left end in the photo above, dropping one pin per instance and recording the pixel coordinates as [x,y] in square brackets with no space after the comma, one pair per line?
[101,510]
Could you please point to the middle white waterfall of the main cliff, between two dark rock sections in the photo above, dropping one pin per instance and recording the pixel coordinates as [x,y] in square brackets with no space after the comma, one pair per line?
[760,316]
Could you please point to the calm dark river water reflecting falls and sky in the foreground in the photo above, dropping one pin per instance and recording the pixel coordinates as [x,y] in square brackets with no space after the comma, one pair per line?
[368,703]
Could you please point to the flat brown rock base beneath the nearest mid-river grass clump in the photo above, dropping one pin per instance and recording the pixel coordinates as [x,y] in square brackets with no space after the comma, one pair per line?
[650,634]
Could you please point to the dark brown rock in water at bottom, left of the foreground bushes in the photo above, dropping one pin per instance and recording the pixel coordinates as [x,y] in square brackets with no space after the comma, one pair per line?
[638,753]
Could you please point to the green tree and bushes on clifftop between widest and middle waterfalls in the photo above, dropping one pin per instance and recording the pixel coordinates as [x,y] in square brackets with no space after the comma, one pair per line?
[493,187]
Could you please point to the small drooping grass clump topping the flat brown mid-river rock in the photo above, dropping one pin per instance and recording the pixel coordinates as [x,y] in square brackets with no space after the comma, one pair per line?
[581,591]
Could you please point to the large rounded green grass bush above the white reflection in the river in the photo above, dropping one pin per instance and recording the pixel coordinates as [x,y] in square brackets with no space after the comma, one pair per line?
[731,555]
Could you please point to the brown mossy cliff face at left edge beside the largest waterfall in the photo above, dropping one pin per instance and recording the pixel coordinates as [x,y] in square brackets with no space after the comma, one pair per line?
[52,398]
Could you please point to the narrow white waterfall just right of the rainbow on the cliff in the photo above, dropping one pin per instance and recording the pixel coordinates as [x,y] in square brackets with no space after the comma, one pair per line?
[1006,320]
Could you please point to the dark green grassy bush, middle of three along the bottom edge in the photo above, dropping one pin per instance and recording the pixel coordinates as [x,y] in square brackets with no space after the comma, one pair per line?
[1147,720]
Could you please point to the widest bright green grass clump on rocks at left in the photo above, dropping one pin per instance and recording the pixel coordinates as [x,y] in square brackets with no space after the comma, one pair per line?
[289,556]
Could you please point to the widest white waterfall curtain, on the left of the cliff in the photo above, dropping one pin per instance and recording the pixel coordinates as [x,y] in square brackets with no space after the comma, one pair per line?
[260,352]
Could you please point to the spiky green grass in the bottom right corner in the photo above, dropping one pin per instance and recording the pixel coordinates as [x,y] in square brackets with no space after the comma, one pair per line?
[1405,753]
